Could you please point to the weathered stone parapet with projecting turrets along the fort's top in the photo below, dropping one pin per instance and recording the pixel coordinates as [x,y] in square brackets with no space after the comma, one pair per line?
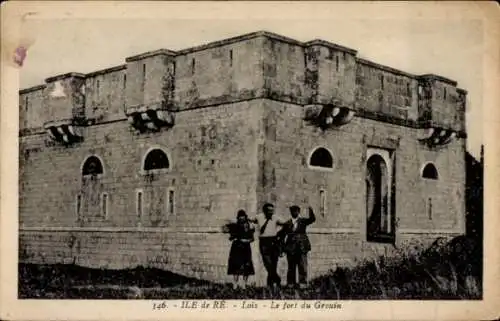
[256,65]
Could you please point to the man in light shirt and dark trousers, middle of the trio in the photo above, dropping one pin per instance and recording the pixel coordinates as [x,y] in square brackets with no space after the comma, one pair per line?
[269,245]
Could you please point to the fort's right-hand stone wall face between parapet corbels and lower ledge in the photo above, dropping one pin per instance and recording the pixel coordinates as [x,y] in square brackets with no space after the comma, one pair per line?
[288,178]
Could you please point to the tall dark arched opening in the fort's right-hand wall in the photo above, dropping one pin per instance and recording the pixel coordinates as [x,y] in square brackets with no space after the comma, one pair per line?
[380,221]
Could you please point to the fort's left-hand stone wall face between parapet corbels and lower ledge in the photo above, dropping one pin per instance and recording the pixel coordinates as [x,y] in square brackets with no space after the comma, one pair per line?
[203,147]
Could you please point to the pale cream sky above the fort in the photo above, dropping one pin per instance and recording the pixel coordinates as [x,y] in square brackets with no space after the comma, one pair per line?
[453,48]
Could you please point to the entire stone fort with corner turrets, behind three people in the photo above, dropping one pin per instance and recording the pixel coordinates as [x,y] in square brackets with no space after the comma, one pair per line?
[143,163]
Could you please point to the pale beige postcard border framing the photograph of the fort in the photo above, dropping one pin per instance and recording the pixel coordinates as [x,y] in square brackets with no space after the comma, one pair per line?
[12,15]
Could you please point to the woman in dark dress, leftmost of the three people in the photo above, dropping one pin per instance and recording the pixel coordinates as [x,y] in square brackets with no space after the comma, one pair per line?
[240,256]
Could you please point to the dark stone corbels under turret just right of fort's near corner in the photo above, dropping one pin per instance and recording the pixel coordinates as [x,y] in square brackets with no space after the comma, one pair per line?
[326,116]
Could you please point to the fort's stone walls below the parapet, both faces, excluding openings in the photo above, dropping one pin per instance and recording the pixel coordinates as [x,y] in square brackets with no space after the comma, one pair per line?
[236,156]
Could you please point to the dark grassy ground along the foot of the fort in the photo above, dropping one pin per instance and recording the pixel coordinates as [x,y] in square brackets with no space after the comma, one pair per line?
[443,271]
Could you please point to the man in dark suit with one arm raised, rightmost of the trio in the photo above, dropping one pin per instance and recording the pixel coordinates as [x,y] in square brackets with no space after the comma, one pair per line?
[297,245]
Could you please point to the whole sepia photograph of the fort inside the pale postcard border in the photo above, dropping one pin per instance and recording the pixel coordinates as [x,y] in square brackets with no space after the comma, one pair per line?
[259,163]
